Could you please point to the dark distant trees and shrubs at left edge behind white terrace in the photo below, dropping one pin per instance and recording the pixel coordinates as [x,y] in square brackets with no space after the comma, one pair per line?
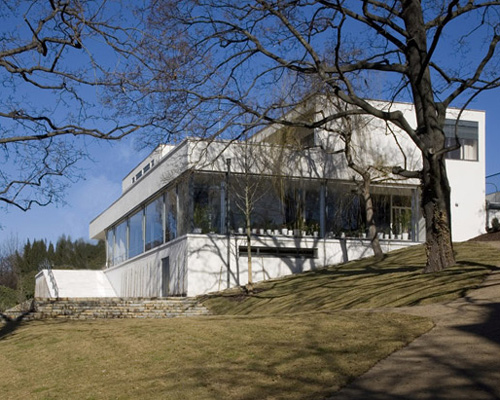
[18,266]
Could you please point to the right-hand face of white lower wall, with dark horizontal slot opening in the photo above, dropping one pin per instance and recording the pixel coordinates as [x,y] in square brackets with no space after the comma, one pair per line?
[207,255]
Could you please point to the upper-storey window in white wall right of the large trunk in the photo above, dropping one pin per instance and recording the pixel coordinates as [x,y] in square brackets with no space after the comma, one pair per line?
[468,137]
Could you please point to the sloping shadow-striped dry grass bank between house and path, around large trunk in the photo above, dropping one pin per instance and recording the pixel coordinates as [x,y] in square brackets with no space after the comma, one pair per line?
[393,282]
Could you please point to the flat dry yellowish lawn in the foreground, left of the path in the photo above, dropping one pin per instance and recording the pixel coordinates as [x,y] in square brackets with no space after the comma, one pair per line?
[280,357]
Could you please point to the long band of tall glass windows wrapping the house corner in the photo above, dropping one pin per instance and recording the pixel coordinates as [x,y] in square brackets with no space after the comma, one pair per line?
[276,205]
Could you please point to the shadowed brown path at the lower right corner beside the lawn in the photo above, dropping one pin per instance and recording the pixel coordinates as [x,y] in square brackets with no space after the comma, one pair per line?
[458,359]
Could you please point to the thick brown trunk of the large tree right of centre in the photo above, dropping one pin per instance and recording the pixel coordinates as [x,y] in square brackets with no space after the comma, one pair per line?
[430,120]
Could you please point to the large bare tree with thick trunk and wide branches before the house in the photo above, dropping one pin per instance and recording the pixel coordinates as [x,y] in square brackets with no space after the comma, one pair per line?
[215,61]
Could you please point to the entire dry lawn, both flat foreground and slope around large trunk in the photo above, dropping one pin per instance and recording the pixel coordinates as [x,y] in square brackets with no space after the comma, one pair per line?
[292,339]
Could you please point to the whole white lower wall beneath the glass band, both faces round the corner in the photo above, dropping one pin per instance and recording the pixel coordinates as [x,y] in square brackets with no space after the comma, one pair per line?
[198,263]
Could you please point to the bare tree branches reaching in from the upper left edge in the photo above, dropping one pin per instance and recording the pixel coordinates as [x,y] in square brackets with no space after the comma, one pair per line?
[56,58]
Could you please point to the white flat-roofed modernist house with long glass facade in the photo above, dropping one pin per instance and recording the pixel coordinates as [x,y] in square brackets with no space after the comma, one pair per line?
[179,227]
